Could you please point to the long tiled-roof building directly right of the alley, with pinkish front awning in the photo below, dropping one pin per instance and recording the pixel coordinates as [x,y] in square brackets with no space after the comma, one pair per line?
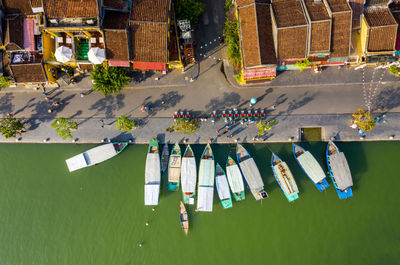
[256,41]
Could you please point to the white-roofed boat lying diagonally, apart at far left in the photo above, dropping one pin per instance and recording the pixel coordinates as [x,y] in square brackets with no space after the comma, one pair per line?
[94,156]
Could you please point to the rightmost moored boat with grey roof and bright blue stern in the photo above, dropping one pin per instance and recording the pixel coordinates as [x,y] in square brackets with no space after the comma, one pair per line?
[339,171]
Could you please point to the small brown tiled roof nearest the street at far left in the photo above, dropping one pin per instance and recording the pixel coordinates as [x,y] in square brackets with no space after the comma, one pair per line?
[28,73]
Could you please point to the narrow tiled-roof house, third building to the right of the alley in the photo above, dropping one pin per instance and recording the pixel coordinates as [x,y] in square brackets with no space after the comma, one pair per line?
[320,22]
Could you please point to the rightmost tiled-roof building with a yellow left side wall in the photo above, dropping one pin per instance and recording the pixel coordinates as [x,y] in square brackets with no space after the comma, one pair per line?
[378,31]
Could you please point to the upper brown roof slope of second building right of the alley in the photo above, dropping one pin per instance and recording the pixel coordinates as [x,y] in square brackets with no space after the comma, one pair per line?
[288,13]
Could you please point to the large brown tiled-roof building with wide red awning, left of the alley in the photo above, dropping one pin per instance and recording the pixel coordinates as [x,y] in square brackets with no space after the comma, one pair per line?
[149,26]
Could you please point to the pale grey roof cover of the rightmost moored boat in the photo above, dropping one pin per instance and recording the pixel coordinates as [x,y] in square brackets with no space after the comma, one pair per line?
[341,171]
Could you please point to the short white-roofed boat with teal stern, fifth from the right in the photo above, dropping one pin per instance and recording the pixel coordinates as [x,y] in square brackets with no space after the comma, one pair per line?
[235,179]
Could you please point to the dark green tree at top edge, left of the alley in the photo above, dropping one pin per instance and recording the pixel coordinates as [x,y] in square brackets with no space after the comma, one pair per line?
[189,9]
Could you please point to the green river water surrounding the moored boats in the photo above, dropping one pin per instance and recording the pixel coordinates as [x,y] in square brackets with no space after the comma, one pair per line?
[96,215]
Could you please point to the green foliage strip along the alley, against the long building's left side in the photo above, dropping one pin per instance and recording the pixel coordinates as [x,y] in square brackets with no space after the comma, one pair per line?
[231,32]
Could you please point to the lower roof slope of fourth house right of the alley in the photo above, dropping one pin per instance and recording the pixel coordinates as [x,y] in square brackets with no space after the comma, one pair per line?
[341,33]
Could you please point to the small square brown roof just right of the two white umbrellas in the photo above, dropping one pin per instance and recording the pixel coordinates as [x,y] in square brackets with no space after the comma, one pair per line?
[116,42]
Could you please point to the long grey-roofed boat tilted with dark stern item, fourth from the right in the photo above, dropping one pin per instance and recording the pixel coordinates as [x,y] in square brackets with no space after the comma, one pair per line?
[250,173]
